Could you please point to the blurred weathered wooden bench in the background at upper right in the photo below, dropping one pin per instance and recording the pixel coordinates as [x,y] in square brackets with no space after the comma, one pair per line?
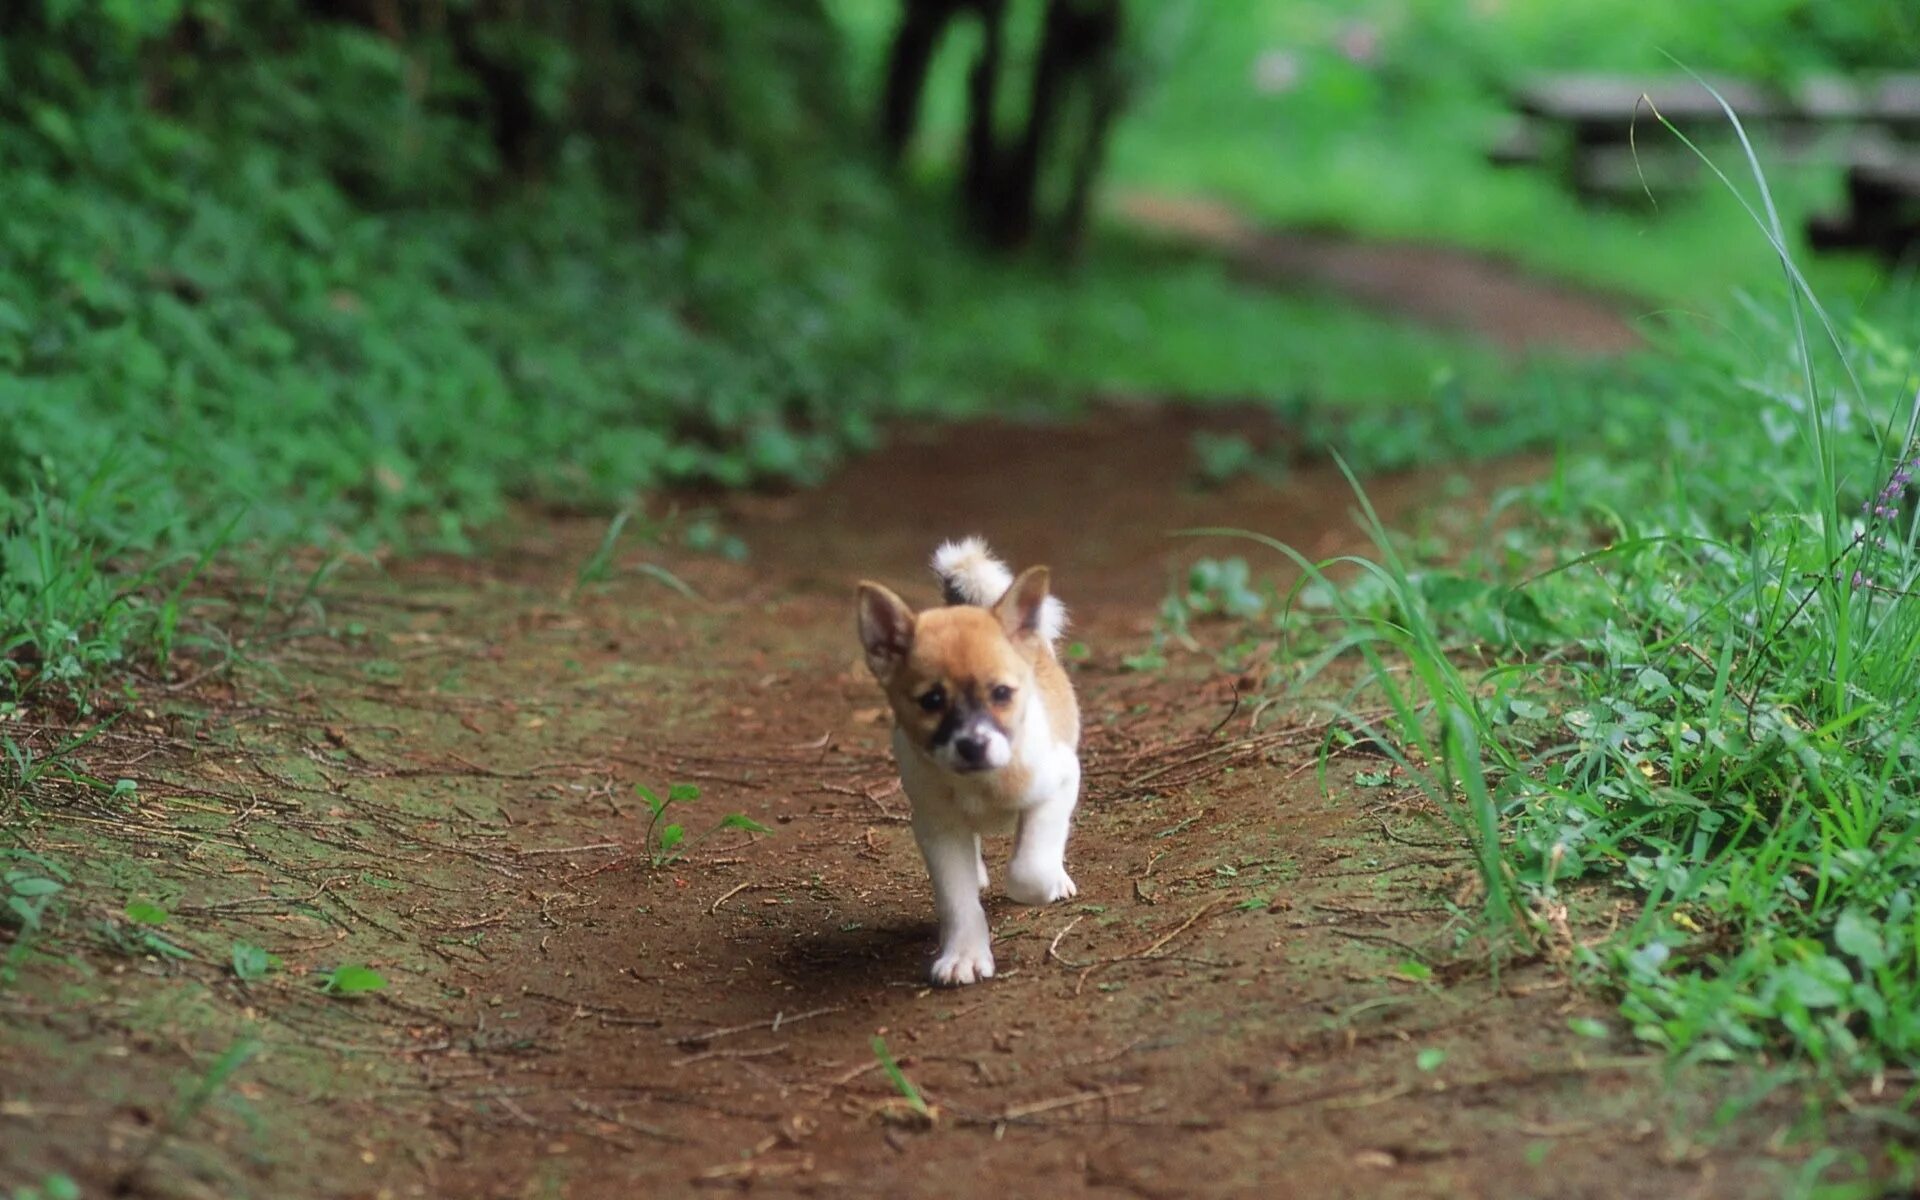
[1606,137]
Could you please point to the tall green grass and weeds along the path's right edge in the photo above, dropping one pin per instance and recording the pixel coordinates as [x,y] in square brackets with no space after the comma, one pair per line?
[1687,669]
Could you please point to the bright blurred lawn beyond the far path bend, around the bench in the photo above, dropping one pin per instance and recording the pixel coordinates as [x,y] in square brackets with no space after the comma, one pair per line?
[1389,108]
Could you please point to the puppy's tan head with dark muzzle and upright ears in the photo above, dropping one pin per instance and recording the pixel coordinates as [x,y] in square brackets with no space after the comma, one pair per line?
[959,679]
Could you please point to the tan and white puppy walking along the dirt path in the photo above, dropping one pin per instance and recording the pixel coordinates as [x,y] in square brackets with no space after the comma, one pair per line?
[986,734]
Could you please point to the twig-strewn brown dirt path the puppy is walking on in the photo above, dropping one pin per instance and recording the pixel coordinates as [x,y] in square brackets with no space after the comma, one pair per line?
[1266,988]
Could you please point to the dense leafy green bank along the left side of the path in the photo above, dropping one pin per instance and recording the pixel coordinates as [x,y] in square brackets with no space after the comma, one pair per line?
[247,289]
